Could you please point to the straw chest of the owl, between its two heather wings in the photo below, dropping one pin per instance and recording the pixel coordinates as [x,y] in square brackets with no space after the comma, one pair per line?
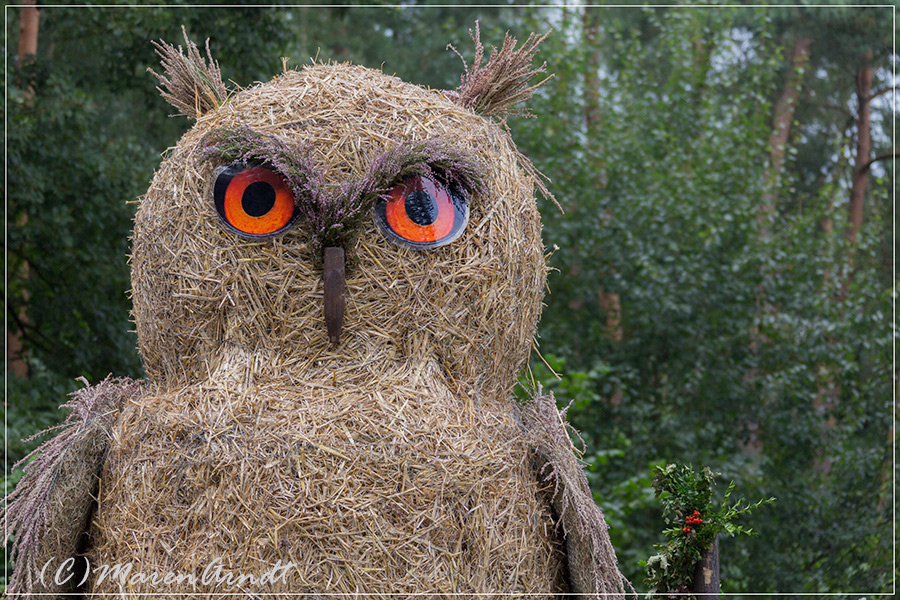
[348,507]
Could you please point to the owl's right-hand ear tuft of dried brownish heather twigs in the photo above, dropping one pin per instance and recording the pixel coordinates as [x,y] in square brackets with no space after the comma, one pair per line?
[493,89]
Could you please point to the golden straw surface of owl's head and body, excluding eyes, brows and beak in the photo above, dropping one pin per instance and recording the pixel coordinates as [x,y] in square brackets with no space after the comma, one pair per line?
[395,462]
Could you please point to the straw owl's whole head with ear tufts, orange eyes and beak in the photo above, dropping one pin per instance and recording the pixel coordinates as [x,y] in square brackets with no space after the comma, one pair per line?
[416,201]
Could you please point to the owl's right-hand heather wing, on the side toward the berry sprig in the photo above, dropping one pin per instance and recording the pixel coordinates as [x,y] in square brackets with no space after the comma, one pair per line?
[592,564]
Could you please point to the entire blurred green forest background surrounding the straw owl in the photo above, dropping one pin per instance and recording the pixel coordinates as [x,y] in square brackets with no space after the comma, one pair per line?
[723,286]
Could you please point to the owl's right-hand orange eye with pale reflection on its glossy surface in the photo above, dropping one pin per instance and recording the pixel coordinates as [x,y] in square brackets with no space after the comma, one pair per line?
[421,213]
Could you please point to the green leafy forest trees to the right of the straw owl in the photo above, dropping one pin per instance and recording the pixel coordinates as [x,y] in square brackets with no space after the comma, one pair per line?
[731,348]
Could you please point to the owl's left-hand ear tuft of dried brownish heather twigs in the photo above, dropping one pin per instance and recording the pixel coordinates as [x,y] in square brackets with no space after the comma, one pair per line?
[189,83]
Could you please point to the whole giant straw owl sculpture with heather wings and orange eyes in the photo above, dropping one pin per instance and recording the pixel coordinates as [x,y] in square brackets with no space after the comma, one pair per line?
[336,279]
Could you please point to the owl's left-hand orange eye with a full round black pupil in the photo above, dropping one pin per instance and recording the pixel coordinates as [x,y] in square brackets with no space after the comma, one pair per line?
[253,201]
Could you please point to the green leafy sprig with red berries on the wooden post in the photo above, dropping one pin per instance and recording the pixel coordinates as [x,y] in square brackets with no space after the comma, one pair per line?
[686,497]
